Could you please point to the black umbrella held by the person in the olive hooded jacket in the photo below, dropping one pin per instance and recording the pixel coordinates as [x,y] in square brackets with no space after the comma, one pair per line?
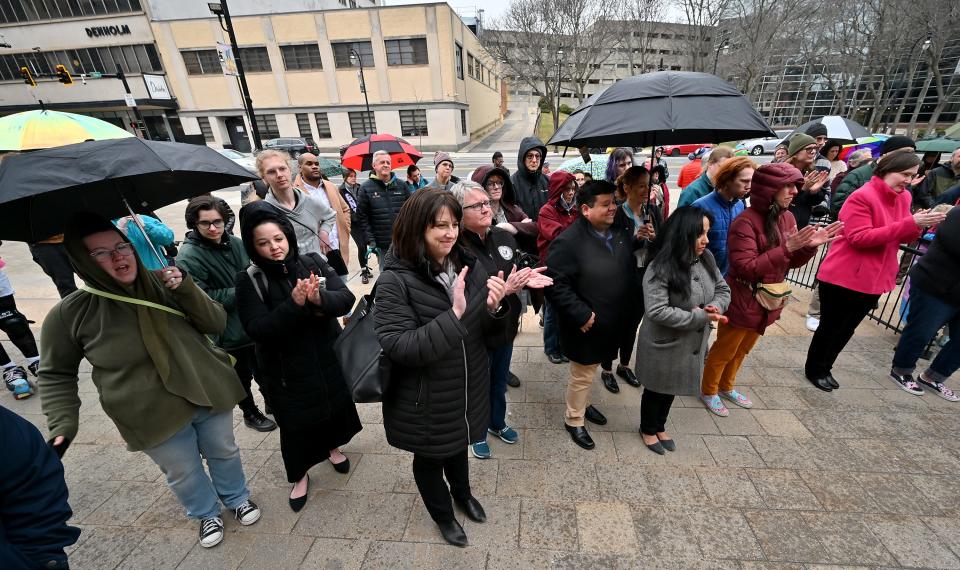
[41,190]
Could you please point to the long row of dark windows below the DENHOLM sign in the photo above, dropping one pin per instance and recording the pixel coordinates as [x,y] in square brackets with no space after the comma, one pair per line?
[139,58]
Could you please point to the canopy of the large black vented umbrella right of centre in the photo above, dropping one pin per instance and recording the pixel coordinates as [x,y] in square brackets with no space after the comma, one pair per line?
[666,107]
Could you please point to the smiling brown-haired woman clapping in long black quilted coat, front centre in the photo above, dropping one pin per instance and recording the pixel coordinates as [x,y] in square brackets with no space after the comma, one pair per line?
[435,303]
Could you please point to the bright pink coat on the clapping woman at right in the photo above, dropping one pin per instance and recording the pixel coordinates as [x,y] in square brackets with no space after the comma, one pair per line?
[876,221]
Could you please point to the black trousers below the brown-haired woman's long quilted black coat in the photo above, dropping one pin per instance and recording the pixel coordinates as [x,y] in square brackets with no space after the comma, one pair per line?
[429,472]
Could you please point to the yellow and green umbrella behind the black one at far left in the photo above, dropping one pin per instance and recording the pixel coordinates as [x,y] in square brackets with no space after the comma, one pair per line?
[35,130]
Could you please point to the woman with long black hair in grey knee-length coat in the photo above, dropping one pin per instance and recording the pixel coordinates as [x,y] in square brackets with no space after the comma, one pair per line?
[684,294]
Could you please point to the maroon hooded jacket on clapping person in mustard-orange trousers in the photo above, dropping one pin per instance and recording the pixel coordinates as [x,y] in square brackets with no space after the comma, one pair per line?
[752,261]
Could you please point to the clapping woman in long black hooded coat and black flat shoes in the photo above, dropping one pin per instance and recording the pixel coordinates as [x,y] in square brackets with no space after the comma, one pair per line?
[293,320]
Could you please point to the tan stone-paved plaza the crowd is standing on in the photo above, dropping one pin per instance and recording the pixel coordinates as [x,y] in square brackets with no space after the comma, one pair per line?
[806,479]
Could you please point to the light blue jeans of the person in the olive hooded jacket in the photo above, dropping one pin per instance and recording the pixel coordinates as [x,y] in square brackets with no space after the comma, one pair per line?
[179,457]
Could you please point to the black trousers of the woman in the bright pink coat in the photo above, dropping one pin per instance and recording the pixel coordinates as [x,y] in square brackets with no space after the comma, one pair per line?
[841,311]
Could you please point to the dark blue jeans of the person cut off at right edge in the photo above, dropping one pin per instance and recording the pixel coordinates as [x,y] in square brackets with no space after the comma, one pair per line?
[926,316]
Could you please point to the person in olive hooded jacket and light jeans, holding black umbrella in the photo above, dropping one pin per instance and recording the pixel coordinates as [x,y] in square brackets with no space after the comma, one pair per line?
[170,392]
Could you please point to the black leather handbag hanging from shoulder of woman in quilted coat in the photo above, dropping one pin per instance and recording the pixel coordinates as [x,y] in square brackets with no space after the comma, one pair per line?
[364,365]
